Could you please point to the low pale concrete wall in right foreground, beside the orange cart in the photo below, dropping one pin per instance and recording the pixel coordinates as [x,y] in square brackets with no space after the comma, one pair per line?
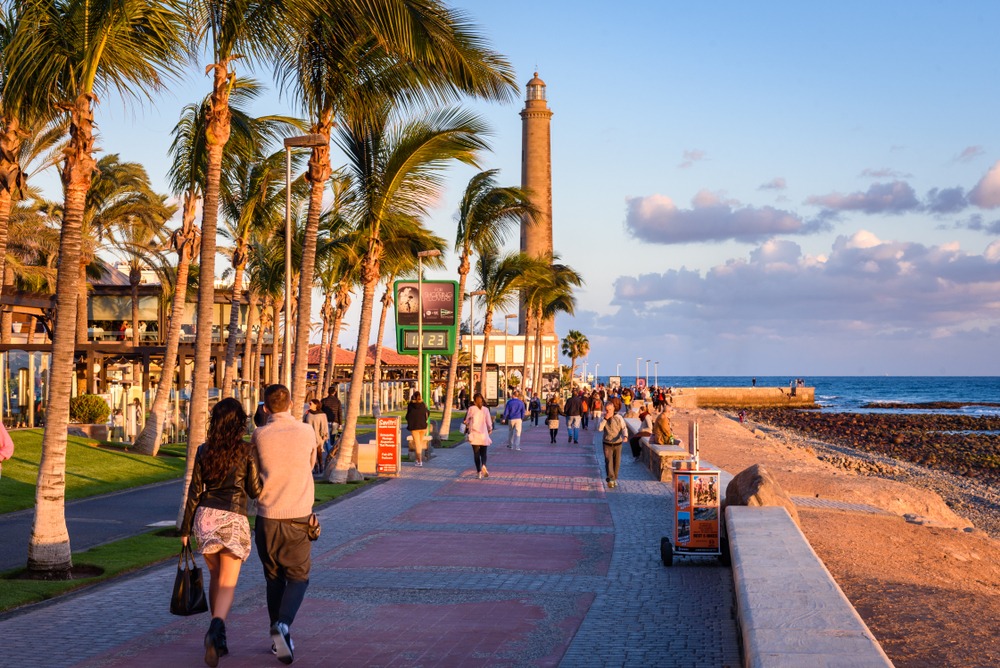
[790,610]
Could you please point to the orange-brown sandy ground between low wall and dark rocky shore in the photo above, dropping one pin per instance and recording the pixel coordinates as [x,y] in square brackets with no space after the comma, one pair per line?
[919,570]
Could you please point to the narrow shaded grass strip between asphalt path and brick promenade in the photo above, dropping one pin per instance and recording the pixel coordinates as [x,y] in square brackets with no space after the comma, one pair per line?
[124,556]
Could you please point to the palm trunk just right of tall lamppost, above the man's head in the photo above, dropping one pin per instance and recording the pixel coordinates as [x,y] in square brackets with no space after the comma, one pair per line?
[318,175]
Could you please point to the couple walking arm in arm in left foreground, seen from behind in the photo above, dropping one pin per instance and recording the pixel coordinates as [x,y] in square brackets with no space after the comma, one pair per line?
[275,468]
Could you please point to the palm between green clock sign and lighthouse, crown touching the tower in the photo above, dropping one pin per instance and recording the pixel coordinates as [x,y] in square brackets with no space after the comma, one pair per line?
[486,215]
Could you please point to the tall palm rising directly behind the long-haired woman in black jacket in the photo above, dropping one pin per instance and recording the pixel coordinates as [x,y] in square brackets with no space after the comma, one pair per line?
[230,30]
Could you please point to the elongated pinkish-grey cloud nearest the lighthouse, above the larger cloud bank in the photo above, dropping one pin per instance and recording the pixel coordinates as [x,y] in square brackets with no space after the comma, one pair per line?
[711,218]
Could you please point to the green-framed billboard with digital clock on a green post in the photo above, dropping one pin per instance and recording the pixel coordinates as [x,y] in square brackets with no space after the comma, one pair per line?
[425,322]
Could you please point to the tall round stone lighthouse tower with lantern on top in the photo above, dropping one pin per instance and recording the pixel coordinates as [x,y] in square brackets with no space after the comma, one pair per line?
[536,177]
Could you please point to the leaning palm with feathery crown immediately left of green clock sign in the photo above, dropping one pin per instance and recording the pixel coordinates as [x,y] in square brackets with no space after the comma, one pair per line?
[395,167]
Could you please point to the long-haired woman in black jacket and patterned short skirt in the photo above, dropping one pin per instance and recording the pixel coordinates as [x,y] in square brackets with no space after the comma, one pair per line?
[224,476]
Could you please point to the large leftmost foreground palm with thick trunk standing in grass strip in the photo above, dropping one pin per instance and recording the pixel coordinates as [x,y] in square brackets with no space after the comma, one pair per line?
[64,54]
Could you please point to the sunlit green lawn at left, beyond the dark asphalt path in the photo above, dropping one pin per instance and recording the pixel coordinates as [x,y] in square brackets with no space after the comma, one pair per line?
[90,470]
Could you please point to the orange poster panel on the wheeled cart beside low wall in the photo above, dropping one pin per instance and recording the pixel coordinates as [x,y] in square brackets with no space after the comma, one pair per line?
[696,504]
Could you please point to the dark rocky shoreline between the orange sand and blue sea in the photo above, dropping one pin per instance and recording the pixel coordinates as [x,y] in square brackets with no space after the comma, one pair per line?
[907,448]
